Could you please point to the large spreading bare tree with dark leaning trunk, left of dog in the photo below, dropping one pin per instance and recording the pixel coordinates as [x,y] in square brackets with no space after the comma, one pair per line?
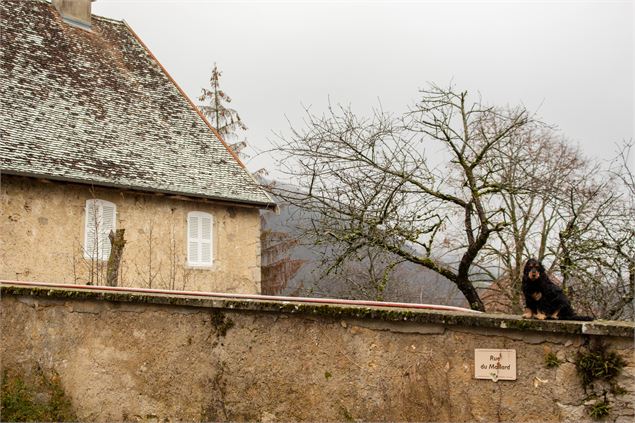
[371,184]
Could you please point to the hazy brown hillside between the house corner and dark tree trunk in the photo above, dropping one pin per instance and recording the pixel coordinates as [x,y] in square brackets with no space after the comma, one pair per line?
[292,267]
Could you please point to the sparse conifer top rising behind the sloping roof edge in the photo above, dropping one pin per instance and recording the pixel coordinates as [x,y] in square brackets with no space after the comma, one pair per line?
[226,120]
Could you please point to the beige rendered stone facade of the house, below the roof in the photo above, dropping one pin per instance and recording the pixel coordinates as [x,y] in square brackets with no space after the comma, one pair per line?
[42,227]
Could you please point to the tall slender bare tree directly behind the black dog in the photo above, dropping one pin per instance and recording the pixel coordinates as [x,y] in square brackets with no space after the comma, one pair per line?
[531,165]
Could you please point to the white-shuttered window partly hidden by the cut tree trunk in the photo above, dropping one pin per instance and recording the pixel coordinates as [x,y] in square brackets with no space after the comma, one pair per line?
[100,220]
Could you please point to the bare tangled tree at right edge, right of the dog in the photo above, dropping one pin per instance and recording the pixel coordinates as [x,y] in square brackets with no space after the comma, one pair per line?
[596,248]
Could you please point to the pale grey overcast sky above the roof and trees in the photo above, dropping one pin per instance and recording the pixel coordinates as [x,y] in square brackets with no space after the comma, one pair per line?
[569,61]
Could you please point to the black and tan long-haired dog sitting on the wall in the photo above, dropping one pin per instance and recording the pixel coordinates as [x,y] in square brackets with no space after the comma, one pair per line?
[543,298]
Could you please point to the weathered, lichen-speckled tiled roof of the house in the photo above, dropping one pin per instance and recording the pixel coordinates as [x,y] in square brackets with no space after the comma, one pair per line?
[96,107]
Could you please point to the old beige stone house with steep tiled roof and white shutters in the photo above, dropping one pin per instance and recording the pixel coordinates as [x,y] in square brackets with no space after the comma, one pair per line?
[96,136]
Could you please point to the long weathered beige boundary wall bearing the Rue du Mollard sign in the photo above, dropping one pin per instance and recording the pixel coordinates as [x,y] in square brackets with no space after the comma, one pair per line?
[150,357]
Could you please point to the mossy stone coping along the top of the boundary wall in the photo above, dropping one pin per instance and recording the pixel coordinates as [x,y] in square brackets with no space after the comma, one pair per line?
[335,311]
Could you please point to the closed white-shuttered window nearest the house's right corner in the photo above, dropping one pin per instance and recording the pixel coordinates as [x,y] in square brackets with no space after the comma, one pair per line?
[199,239]
